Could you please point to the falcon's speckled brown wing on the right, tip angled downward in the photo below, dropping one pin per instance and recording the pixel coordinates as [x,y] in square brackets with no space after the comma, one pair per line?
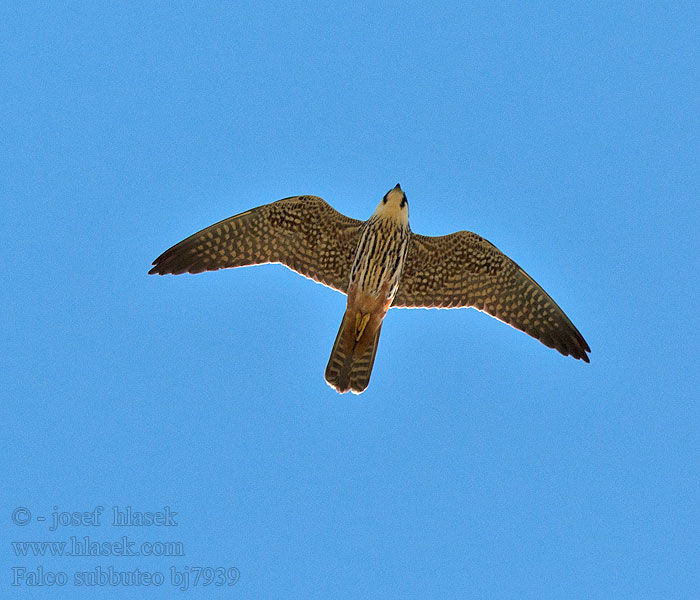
[463,269]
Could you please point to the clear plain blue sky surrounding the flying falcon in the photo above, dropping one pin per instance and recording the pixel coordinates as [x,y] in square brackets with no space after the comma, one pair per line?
[479,463]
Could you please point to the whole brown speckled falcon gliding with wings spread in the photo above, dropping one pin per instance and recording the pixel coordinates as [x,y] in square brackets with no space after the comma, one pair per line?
[379,264]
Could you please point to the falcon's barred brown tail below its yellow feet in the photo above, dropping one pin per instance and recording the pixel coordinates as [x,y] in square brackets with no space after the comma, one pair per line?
[350,364]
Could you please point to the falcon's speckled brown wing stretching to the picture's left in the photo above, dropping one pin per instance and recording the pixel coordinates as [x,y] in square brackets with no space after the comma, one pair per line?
[303,233]
